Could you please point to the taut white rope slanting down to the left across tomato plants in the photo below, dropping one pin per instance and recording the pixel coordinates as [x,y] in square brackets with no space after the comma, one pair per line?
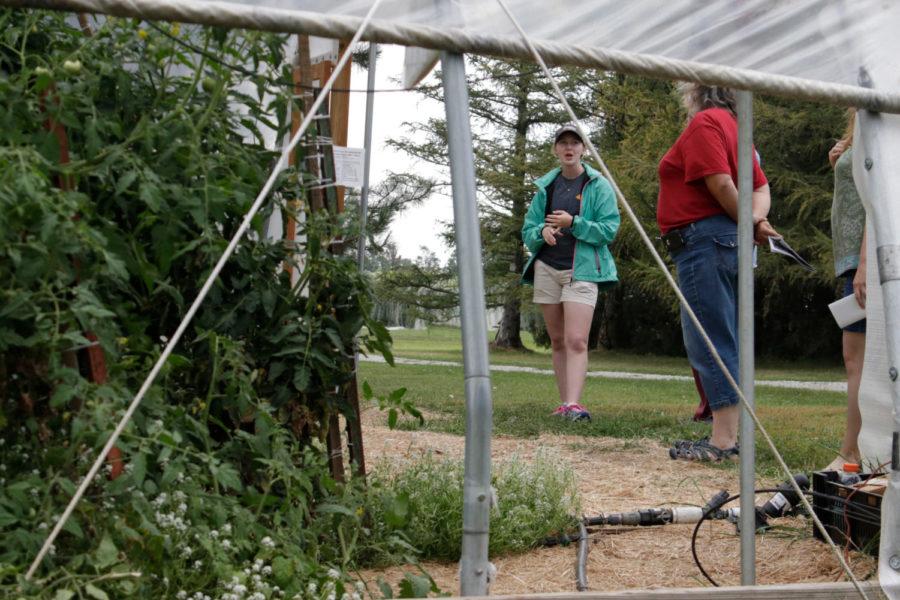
[201,296]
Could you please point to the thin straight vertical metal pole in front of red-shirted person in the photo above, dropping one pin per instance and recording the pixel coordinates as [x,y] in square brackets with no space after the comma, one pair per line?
[745,334]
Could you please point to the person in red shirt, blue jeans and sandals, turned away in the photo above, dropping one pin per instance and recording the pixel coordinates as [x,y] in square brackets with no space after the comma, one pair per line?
[697,215]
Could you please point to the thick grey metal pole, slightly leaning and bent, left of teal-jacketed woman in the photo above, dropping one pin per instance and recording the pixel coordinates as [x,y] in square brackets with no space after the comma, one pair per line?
[474,566]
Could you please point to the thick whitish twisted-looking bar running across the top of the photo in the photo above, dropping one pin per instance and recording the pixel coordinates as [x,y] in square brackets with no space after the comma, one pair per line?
[455,39]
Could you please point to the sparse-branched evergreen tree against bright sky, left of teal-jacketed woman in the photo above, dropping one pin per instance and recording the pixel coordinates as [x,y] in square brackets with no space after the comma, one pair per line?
[514,114]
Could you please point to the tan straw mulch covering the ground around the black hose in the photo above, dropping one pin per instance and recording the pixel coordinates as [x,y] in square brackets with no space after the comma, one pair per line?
[617,475]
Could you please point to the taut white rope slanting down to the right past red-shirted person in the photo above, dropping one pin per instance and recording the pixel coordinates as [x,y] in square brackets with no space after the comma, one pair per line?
[684,302]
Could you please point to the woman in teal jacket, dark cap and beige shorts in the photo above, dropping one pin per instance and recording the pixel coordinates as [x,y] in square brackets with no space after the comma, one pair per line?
[568,228]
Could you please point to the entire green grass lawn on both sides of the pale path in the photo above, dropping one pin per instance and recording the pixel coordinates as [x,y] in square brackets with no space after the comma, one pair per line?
[806,425]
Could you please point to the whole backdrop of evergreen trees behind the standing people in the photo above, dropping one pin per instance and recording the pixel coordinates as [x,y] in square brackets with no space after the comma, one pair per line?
[635,120]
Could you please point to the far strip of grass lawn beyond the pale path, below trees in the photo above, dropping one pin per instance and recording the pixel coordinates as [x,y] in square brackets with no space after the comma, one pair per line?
[445,343]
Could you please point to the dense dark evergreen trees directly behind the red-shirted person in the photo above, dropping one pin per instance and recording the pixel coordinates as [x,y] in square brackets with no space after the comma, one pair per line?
[642,118]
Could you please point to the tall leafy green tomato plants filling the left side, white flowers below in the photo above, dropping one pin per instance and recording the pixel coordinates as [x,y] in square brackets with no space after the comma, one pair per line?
[226,488]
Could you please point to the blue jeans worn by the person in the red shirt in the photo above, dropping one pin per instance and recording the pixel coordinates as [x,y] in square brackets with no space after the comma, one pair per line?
[707,274]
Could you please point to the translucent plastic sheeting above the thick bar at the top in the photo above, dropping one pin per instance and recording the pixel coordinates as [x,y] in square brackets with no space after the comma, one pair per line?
[826,40]
